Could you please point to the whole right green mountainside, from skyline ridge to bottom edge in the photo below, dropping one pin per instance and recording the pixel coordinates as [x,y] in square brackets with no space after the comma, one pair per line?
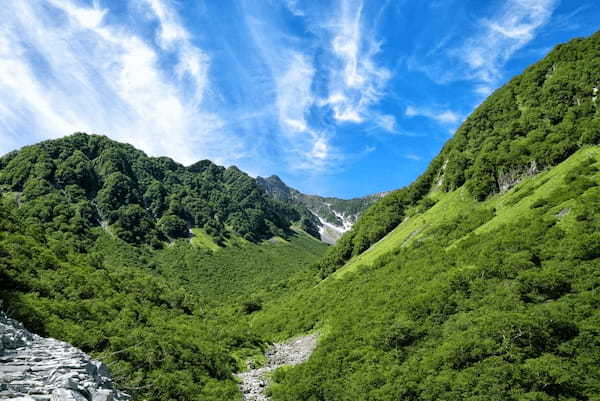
[479,281]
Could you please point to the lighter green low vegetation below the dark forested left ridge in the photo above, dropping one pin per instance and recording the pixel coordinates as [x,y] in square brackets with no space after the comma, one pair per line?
[171,323]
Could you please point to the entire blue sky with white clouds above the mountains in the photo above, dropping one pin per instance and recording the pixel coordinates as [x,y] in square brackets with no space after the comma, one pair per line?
[337,97]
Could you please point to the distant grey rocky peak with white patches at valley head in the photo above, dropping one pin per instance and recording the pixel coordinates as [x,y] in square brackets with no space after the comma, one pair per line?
[332,216]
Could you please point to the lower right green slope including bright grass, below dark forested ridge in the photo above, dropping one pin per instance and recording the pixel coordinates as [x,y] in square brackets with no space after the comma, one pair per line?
[494,300]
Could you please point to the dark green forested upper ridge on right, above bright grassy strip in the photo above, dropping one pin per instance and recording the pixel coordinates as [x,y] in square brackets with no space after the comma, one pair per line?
[534,122]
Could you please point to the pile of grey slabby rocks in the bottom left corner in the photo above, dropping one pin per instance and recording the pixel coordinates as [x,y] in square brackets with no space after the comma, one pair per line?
[33,368]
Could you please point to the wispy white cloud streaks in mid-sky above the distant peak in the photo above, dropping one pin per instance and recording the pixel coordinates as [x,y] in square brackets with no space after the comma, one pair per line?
[344,81]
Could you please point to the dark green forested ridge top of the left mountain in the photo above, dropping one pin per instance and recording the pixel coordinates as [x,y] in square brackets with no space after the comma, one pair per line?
[89,180]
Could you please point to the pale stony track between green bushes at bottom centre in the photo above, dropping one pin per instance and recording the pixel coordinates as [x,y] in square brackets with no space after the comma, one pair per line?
[254,382]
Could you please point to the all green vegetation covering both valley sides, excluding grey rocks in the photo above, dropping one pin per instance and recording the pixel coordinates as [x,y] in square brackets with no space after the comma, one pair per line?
[479,281]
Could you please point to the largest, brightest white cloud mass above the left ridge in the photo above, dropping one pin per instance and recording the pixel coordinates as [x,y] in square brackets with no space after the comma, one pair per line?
[63,68]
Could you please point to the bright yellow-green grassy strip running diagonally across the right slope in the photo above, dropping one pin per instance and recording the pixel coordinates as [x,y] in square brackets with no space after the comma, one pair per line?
[509,207]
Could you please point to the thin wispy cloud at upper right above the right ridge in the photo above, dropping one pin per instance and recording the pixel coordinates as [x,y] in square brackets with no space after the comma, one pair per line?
[478,51]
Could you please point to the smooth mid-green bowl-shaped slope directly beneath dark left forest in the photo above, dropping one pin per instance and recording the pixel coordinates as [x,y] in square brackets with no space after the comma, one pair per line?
[226,275]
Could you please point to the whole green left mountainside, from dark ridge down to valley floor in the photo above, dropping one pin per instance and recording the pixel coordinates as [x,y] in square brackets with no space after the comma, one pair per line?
[147,265]
